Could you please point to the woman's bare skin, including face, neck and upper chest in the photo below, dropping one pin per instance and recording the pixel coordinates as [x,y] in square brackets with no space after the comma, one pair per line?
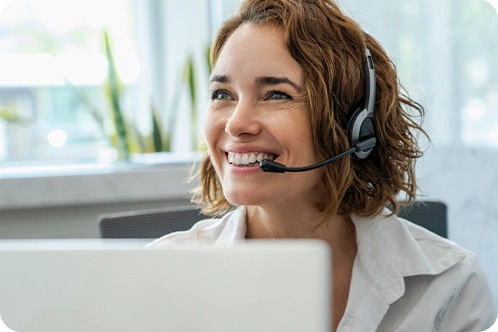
[257,105]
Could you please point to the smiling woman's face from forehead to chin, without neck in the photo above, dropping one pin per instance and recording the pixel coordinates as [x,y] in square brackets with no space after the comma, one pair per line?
[257,111]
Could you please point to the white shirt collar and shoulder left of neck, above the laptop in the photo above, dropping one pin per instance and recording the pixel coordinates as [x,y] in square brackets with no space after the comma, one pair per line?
[226,229]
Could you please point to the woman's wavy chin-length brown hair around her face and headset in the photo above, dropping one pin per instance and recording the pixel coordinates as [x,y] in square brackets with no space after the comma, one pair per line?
[330,47]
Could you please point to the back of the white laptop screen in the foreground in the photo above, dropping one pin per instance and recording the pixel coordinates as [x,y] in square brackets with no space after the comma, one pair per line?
[253,286]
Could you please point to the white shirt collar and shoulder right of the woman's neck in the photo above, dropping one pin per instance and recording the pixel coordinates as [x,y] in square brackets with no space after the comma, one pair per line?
[432,282]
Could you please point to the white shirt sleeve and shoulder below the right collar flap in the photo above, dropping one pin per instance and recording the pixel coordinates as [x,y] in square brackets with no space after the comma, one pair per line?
[456,299]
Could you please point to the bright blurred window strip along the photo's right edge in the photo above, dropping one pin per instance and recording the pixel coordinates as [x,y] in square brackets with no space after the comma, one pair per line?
[476,65]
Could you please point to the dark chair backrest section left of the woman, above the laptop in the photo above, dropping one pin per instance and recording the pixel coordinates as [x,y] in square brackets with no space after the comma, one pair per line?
[148,223]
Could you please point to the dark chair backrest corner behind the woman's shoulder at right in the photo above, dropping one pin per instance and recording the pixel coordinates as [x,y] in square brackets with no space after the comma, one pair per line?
[429,214]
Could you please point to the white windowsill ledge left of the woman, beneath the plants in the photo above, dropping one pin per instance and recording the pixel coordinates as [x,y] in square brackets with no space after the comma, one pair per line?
[159,177]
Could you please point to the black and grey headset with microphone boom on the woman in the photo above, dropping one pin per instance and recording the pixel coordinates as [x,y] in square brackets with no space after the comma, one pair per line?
[361,129]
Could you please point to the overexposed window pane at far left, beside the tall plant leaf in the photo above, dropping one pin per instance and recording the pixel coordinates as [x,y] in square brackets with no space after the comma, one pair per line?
[54,69]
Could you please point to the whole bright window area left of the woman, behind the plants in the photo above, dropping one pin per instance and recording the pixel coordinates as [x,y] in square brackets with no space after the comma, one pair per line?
[53,101]
